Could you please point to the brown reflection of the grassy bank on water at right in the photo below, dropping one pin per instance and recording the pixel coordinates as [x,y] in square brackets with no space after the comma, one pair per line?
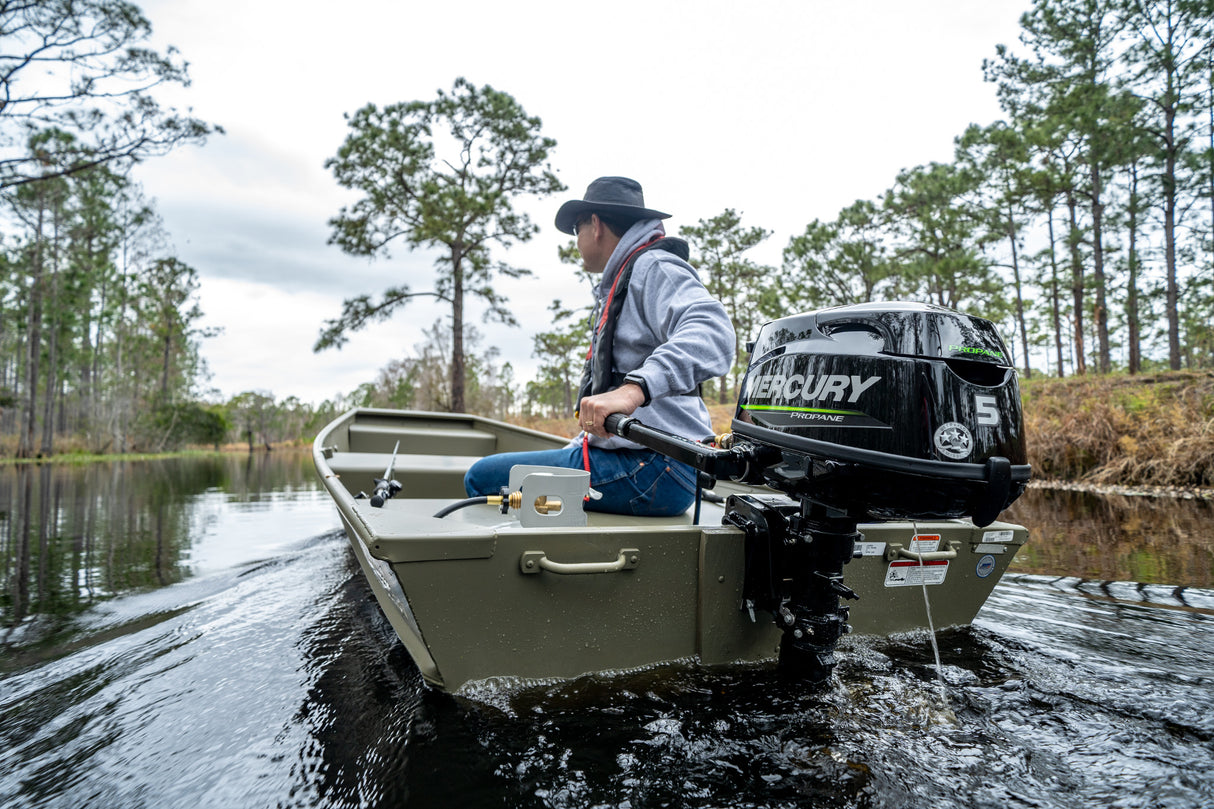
[1117,538]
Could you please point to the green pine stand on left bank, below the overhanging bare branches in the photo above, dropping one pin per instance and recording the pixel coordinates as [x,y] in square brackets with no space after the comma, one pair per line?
[103,325]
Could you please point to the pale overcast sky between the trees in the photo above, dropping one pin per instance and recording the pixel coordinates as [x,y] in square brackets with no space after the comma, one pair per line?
[787,111]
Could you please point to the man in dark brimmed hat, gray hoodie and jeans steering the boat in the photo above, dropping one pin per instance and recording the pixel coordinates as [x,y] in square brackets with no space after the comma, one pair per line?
[657,337]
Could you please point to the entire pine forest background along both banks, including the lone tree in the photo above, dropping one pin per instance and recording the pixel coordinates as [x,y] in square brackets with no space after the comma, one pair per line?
[1082,223]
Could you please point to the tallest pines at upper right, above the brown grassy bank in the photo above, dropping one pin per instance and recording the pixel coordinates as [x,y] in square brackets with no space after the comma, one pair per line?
[1108,93]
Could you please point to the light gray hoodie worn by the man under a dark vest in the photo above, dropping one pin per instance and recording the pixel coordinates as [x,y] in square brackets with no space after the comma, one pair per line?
[671,332]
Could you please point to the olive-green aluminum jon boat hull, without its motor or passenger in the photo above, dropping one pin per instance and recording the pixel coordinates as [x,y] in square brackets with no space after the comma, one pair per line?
[548,591]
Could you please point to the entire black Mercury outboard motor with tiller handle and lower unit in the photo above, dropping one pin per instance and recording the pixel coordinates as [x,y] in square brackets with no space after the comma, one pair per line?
[858,414]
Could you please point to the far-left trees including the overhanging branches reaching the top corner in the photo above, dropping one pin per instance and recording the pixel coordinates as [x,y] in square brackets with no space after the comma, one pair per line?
[95,313]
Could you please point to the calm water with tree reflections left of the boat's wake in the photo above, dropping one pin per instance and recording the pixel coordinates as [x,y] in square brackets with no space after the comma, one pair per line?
[73,536]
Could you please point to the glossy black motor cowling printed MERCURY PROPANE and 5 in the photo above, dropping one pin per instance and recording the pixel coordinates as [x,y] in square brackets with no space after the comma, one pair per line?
[895,411]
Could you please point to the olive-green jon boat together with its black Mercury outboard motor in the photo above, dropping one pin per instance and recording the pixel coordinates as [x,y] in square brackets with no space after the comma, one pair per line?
[872,450]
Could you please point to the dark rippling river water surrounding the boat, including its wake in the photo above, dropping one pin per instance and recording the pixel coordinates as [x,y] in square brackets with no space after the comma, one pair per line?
[197,633]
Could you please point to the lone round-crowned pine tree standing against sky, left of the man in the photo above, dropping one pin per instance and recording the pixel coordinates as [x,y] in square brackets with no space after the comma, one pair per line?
[440,176]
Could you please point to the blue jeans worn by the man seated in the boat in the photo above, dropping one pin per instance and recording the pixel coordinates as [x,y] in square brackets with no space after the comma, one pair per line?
[640,483]
